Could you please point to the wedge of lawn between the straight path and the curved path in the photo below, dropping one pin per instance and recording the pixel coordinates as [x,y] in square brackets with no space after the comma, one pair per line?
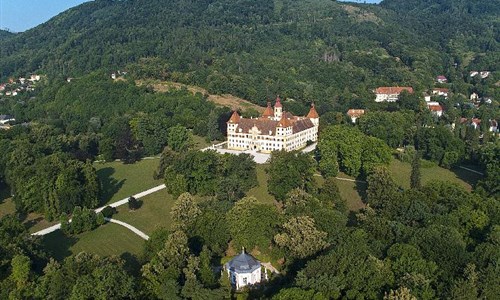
[153,213]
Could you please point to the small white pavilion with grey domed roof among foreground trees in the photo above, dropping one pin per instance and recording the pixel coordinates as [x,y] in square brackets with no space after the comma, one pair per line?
[243,270]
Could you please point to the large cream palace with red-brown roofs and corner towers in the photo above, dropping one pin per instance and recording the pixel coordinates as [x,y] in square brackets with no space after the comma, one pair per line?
[274,130]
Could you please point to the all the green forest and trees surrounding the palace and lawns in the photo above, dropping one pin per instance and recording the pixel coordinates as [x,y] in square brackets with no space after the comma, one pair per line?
[431,240]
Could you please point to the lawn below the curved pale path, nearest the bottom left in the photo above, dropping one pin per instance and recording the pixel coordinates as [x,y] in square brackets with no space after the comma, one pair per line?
[109,239]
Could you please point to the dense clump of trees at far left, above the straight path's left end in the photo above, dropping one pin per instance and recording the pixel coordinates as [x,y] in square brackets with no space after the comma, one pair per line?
[53,184]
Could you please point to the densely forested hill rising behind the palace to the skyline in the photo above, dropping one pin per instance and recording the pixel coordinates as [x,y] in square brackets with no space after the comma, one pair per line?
[330,52]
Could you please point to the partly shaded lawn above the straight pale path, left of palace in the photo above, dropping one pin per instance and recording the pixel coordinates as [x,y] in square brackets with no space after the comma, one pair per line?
[121,180]
